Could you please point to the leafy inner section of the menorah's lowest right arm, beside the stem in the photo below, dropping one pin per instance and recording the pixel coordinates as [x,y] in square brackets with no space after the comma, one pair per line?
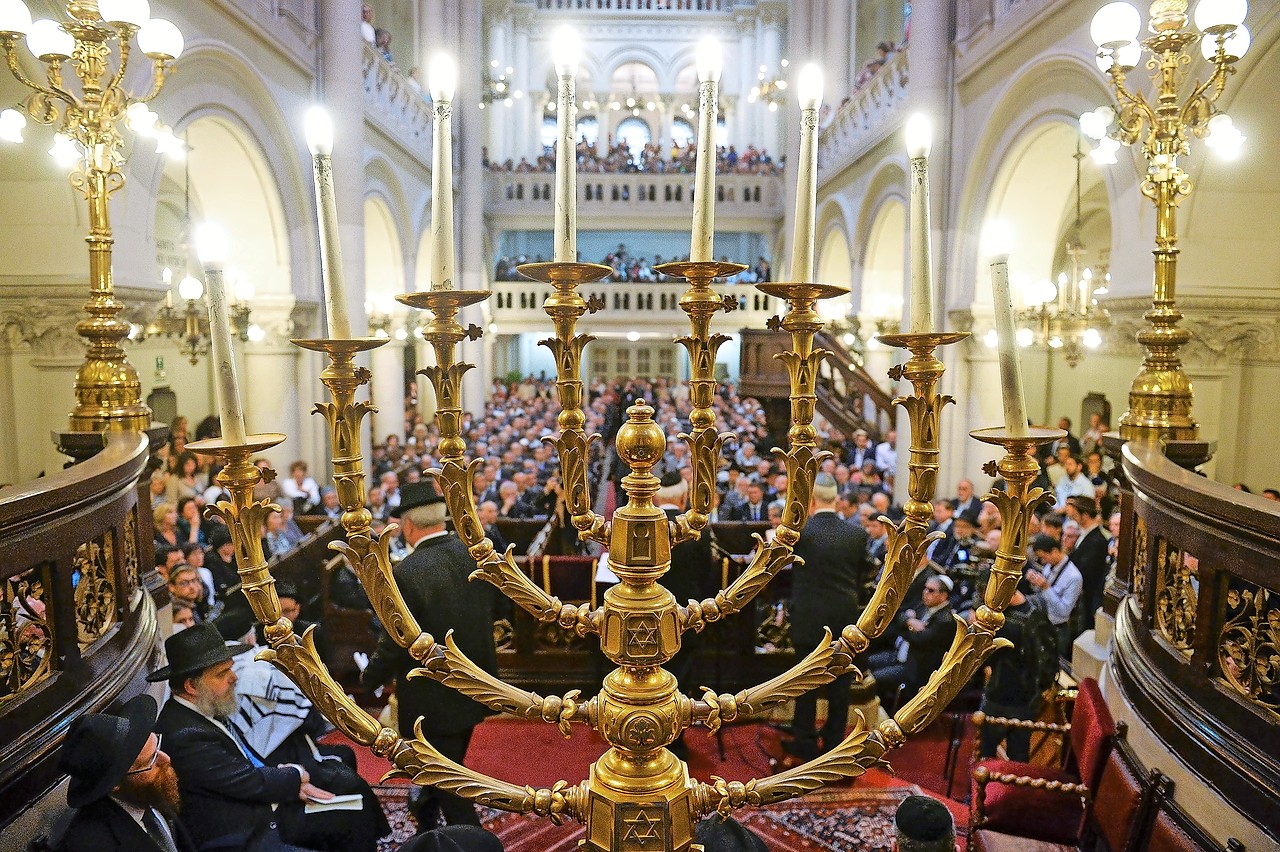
[862,750]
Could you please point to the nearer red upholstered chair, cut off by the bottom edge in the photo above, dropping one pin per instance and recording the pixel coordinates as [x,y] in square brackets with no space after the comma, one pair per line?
[1116,828]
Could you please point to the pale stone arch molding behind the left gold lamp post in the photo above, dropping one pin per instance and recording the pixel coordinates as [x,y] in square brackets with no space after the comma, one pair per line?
[218,81]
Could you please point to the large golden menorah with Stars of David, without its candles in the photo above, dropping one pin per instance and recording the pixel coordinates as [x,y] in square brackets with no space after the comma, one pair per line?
[639,796]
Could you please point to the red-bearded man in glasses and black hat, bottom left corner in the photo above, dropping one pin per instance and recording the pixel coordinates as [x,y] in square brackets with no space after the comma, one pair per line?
[122,784]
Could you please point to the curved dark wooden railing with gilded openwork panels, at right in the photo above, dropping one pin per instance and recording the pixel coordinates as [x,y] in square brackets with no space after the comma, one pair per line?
[1197,642]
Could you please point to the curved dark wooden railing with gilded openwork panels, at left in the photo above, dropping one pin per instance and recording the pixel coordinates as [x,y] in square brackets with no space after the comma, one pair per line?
[77,625]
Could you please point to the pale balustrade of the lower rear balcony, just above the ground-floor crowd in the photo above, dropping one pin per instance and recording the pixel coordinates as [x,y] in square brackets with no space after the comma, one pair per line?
[518,306]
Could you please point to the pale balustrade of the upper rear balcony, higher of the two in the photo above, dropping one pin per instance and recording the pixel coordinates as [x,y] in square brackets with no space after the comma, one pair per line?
[743,200]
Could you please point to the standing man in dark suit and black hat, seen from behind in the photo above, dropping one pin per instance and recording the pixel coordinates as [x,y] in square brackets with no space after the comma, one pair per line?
[433,580]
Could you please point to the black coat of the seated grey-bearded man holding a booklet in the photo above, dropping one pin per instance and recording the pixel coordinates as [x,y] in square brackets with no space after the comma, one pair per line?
[226,800]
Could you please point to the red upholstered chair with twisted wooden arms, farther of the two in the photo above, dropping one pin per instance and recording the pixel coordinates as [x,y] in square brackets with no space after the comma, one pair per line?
[1048,803]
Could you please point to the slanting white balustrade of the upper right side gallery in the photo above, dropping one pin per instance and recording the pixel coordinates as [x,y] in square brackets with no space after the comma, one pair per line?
[872,114]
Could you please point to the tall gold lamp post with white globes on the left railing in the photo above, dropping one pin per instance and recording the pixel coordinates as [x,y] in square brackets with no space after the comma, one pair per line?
[108,391]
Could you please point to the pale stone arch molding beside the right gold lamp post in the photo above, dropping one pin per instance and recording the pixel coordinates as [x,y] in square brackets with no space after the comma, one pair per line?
[1053,89]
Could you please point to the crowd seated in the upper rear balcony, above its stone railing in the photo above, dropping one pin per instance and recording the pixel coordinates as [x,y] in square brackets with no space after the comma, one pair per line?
[653,158]
